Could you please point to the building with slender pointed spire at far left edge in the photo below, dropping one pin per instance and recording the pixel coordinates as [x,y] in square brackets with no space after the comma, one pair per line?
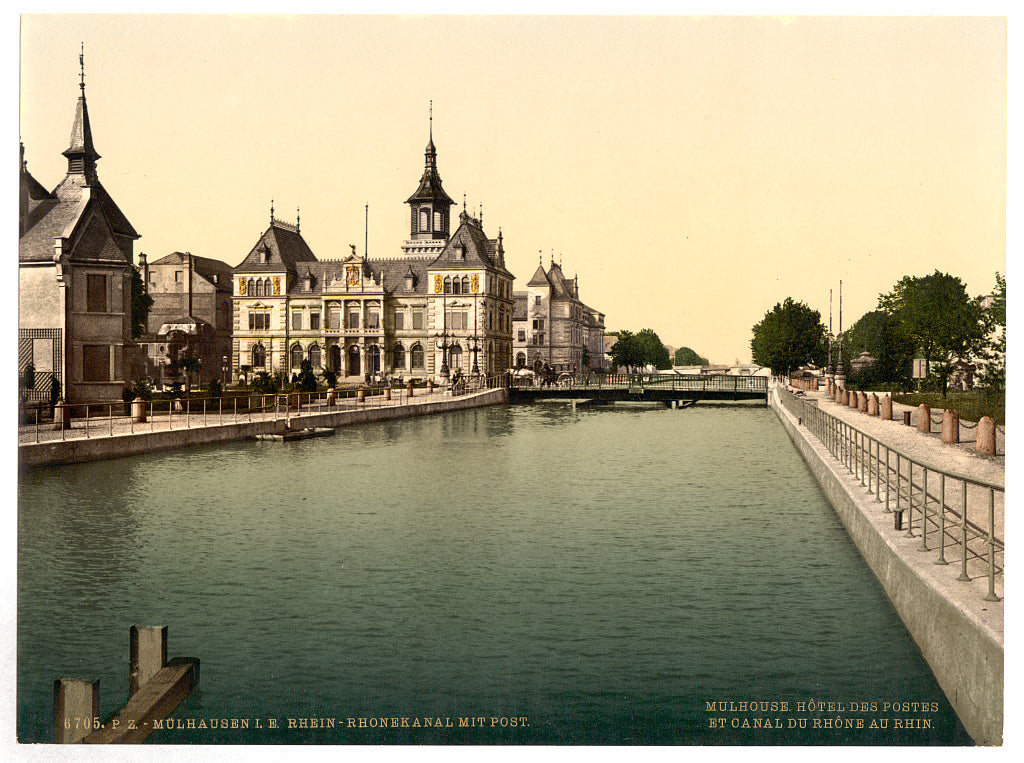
[75,261]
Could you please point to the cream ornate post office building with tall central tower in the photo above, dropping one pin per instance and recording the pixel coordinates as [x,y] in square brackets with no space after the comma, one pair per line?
[445,304]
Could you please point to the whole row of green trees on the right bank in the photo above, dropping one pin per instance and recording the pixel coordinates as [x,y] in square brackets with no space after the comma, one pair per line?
[931,317]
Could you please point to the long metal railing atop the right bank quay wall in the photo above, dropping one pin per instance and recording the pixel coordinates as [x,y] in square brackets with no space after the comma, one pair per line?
[942,501]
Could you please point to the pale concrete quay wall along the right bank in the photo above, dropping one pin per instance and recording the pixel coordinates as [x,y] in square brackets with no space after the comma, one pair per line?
[966,658]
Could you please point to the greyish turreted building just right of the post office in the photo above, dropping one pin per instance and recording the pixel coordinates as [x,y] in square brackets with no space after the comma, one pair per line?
[552,326]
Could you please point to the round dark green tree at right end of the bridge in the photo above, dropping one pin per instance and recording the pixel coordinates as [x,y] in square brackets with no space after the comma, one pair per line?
[789,336]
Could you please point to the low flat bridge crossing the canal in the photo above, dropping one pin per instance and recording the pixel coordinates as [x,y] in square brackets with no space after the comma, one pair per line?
[678,389]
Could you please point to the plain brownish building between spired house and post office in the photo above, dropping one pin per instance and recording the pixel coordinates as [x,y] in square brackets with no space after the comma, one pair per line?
[191,316]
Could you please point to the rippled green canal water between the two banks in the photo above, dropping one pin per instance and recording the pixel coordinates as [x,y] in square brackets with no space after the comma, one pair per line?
[508,575]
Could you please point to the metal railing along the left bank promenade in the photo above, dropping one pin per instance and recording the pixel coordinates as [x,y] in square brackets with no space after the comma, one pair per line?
[89,420]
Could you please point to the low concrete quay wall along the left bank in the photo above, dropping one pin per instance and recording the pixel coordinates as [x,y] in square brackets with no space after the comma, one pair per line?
[118,446]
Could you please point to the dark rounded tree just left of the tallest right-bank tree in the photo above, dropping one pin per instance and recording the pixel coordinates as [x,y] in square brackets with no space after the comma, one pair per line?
[882,336]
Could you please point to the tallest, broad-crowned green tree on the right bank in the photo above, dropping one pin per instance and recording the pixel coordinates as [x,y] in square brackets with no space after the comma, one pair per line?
[937,315]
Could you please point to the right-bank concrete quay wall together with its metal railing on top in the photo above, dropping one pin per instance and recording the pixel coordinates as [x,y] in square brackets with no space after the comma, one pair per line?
[934,541]
